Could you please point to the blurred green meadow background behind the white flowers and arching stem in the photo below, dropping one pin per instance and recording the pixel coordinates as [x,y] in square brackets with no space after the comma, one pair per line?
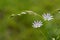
[20,27]
